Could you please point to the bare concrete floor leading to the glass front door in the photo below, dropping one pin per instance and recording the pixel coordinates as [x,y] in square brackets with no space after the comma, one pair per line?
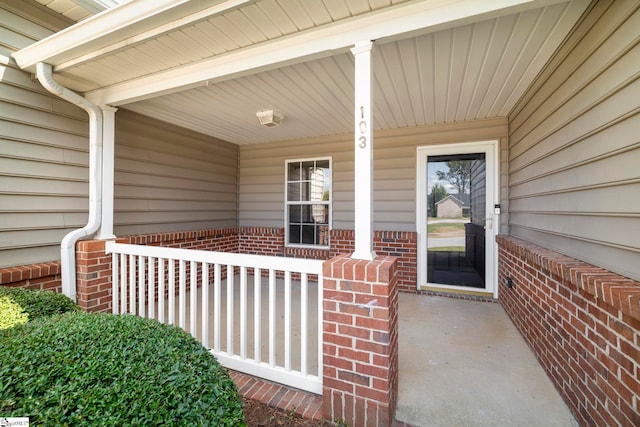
[463,363]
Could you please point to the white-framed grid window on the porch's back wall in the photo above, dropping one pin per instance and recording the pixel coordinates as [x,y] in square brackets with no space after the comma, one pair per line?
[308,202]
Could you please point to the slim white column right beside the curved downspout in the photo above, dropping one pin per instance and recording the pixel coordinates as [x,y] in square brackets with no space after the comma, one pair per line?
[108,163]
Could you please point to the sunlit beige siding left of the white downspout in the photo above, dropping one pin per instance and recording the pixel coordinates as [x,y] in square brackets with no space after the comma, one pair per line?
[43,148]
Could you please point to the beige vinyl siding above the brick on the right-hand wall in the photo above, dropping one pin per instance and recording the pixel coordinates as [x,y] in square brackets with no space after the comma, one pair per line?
[574,150]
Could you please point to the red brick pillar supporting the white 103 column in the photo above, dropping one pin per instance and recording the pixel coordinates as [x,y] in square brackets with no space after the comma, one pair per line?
[360,340]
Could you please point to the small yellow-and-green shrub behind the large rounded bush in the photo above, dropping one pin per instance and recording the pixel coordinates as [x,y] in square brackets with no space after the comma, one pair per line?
[32,304]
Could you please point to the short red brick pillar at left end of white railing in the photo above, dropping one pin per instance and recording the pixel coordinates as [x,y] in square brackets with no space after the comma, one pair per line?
[93,276]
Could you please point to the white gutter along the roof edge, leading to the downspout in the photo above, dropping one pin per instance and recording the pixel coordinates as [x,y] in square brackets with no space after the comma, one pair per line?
[96,32]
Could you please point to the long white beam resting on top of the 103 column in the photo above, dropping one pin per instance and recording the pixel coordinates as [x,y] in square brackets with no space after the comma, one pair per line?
[403,18]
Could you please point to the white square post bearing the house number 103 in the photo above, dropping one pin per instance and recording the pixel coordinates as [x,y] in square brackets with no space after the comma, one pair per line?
[363,140]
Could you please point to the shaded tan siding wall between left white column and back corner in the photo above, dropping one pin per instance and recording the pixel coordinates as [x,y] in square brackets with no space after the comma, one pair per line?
[168,178]
